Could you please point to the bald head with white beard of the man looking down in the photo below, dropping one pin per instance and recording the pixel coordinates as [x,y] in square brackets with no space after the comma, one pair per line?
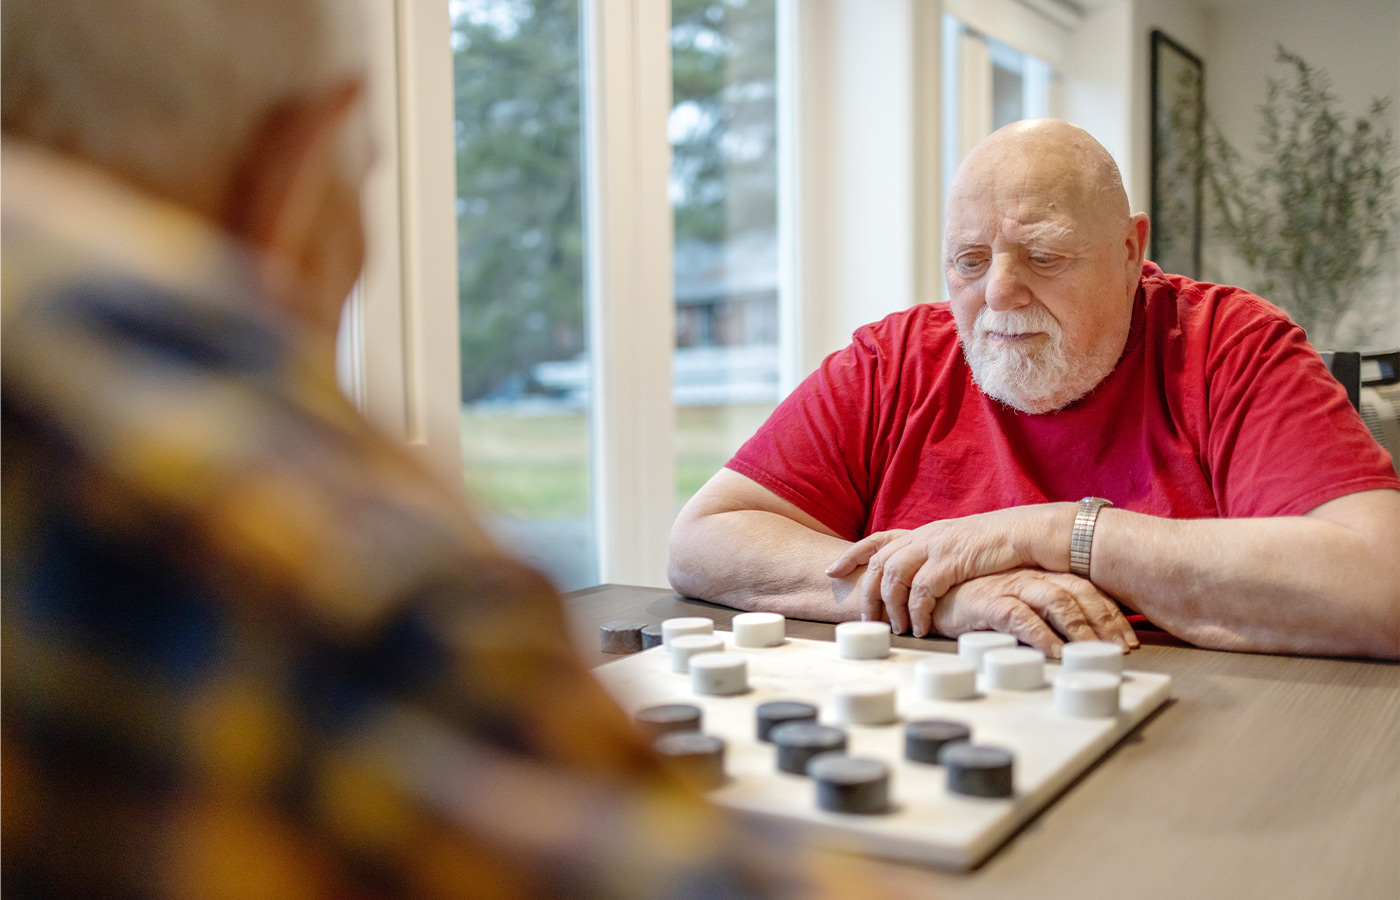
[1042,260]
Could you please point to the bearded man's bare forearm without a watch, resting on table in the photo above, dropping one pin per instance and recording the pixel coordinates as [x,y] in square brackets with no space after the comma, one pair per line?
[752,559]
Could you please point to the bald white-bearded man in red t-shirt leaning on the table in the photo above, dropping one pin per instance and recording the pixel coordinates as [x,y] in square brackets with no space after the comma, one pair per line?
[1182,436]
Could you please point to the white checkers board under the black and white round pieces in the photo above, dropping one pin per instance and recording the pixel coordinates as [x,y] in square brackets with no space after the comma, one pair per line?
[927,824]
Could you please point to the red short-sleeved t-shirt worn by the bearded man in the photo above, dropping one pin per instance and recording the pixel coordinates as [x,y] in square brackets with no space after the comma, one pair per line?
[1219,409]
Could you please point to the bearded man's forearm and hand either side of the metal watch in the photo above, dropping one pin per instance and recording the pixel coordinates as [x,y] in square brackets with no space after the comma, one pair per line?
[1325,583]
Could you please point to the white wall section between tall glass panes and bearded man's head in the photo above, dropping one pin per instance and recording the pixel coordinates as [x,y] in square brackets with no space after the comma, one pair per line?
[867,230]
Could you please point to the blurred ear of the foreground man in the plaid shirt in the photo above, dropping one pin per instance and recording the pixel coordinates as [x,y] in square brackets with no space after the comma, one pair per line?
[285,170]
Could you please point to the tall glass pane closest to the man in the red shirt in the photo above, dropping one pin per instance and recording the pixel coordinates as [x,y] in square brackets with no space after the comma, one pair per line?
[723,131]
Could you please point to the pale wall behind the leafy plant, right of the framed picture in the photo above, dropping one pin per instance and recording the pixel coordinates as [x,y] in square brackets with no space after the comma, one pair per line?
[1359,45]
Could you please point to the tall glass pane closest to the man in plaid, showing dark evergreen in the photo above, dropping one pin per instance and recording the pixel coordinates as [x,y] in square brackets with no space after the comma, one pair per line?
[521,286]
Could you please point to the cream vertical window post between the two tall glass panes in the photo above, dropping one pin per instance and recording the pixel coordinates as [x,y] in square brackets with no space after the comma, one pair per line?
[631,285]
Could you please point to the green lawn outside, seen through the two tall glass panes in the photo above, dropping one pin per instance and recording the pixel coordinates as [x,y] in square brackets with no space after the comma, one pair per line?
[537,467]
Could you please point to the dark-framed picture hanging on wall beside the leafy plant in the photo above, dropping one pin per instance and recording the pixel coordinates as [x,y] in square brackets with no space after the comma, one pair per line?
[1178,145]
